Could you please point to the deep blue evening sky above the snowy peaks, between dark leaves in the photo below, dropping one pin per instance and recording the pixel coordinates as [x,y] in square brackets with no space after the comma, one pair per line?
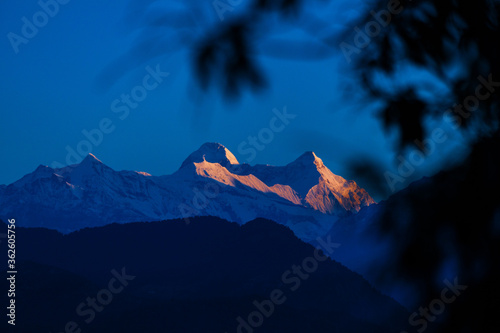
[67,77]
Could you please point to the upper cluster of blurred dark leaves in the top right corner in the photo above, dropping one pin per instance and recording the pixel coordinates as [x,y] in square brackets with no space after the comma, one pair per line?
[455,42]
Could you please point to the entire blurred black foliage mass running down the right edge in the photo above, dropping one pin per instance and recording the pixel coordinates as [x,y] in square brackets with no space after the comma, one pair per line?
[455,216]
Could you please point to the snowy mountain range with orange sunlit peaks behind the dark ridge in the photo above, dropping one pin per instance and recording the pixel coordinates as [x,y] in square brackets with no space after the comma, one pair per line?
[303,195]
